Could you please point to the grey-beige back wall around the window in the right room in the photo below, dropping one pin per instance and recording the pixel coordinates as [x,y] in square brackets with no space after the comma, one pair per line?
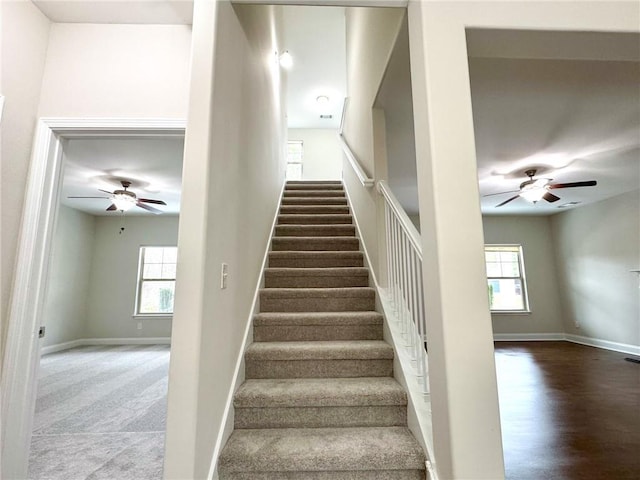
[534,234]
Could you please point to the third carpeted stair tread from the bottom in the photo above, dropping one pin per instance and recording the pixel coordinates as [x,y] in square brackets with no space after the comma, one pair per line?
[337,350]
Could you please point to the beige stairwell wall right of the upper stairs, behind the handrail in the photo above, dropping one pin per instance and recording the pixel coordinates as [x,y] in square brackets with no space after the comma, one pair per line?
[371,34]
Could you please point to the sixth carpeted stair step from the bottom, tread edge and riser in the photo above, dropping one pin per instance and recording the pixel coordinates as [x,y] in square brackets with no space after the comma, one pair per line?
[316,277]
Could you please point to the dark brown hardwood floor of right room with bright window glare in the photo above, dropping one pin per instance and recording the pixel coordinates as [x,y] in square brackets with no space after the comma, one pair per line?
[568,412]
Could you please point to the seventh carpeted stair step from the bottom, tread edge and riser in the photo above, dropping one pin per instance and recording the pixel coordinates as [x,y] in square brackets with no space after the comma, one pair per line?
[313,259]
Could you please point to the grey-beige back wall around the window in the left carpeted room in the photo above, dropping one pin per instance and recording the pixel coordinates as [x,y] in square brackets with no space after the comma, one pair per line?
[114,274]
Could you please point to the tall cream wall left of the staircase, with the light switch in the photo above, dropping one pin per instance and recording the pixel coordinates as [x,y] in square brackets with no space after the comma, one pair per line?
[232,176]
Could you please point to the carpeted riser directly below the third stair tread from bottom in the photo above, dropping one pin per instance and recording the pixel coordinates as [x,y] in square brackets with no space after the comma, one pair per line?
[342,368]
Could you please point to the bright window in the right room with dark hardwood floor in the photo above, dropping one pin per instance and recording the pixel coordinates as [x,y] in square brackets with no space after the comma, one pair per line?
[505,278]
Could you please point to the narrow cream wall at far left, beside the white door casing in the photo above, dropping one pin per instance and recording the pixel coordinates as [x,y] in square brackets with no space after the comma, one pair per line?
[25,32]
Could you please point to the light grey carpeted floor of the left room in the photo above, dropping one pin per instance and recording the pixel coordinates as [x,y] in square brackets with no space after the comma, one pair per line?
[100,414]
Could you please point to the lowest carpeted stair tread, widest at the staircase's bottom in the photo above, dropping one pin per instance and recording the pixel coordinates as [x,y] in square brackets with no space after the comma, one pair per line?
[322,449]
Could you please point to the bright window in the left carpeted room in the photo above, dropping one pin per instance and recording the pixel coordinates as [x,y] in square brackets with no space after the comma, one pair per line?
[156,280]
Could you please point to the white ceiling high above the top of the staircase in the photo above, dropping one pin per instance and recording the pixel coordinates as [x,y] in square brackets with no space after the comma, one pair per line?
[315,37]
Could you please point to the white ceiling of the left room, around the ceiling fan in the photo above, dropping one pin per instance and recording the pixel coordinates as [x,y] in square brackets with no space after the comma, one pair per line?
[152,165]
